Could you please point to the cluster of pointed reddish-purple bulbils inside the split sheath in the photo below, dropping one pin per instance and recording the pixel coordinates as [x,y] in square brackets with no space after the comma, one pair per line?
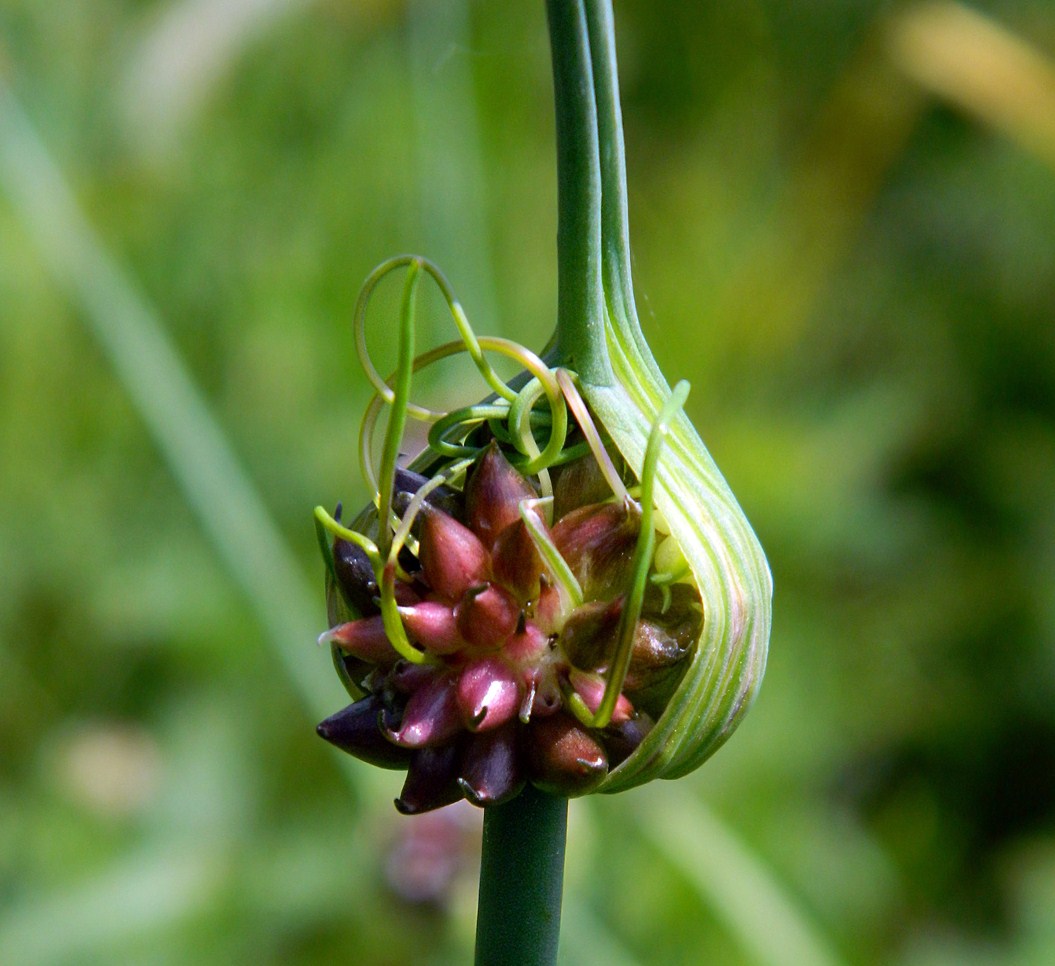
[513,667]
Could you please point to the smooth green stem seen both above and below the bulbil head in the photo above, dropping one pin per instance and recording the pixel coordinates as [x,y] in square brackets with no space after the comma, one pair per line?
[522,876]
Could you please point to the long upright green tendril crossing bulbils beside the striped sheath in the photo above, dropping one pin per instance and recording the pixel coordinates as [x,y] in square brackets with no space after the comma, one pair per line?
[641,562]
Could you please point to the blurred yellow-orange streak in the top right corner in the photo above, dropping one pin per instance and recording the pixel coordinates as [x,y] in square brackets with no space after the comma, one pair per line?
[970,61]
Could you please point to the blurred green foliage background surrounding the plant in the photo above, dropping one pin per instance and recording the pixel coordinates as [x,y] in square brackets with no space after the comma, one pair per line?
[843,221]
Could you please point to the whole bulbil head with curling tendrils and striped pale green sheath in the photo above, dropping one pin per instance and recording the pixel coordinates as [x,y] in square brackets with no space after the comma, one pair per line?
[560,590]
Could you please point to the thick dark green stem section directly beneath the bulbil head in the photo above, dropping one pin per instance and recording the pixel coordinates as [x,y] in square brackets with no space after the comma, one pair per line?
[522,880]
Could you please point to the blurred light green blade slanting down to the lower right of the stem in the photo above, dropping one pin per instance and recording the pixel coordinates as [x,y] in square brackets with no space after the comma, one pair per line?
[731,881]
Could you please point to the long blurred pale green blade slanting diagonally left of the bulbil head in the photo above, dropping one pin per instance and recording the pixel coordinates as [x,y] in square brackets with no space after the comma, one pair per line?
[146,363]
